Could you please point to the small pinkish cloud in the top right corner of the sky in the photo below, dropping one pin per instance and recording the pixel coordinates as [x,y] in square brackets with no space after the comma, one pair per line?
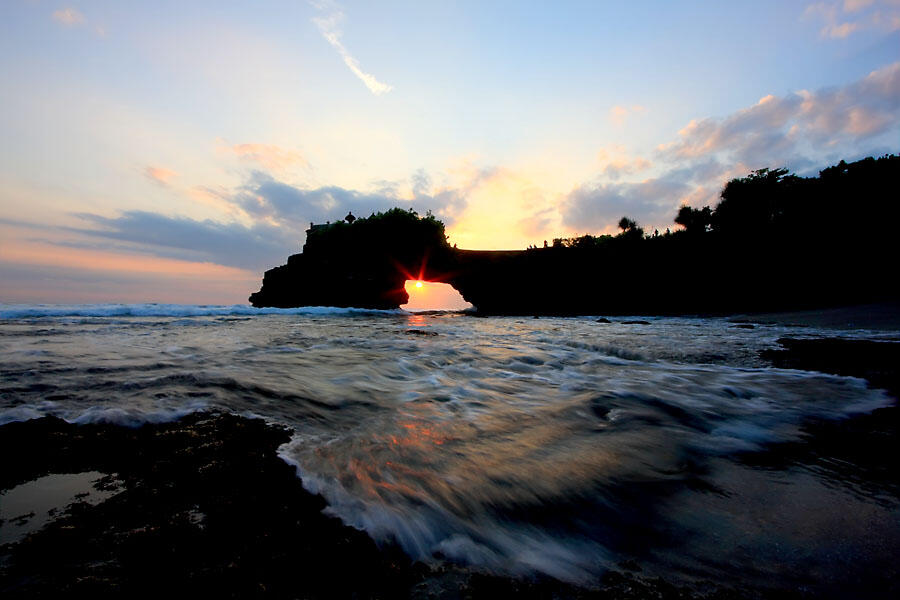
[840,20]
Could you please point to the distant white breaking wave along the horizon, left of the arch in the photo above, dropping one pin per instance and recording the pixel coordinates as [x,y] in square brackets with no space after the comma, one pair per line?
[36,311]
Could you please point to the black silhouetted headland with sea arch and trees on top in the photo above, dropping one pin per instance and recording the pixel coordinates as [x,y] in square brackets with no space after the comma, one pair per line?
[775,241]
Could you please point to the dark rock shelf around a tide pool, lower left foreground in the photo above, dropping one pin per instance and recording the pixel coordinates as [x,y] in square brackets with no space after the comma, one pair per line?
[206,509]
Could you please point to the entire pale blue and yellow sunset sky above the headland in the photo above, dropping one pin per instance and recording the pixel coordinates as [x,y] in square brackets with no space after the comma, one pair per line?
[173,151]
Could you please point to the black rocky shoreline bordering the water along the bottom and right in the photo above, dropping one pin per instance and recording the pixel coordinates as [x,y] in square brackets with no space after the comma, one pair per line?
[205,506]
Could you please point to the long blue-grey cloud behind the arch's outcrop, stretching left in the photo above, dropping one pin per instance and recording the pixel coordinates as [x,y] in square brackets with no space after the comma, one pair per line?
[277,214]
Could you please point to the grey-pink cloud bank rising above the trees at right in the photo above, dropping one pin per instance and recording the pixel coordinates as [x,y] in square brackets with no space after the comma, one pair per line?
[803,131]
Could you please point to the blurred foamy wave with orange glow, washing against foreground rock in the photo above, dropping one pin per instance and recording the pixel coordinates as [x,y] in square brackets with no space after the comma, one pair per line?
[555,486]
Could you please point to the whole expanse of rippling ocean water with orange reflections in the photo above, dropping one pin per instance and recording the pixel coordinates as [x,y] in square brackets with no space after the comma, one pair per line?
[555,446]
